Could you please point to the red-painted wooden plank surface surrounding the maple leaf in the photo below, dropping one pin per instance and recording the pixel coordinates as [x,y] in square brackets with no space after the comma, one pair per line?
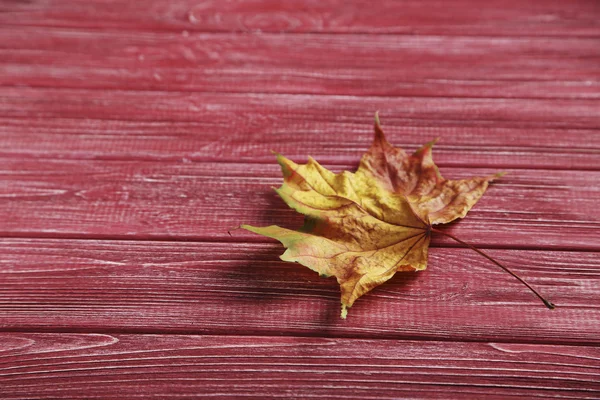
[133,135]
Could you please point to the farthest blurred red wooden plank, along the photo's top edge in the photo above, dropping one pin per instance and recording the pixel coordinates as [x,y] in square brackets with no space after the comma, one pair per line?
[496,17]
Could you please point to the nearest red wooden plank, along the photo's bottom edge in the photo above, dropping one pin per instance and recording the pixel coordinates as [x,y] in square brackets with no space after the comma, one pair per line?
[131,366]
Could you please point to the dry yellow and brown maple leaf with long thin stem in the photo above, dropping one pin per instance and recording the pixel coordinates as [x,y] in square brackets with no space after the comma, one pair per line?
[365,226]
